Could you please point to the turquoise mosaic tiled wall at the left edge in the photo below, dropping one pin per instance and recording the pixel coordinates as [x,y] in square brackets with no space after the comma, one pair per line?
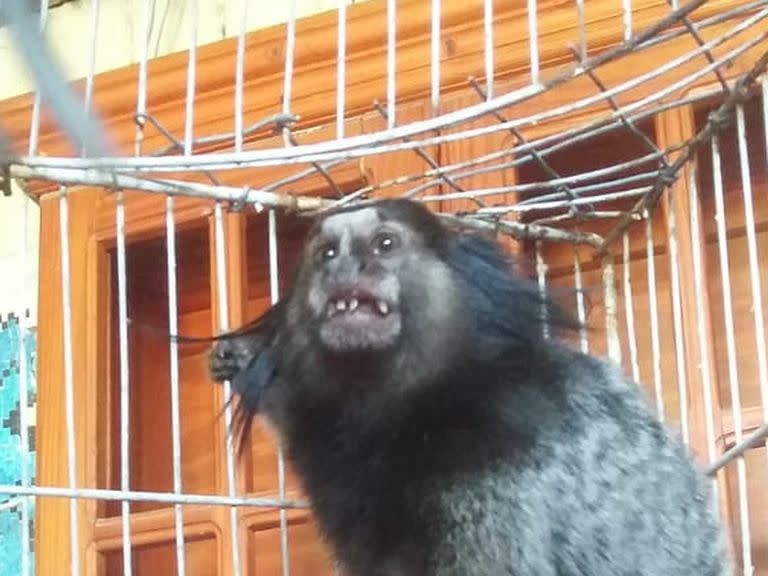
[11,453]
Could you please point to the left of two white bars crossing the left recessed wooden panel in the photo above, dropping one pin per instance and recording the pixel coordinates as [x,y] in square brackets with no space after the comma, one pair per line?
[125,439]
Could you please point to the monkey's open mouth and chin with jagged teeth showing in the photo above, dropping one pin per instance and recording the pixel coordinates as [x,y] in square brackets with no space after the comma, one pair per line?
[357,320]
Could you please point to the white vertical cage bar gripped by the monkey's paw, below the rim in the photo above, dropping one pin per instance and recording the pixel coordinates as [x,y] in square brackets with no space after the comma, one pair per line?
[223,297]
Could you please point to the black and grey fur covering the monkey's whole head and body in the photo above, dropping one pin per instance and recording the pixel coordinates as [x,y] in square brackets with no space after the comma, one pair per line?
[467,445]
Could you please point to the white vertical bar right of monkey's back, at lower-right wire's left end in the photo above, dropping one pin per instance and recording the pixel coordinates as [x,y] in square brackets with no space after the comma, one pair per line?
[699,291]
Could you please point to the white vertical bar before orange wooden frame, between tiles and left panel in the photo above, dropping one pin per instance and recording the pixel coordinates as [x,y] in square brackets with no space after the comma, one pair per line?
[69,393]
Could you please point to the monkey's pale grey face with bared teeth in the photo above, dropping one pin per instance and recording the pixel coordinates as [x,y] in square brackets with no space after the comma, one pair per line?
[364,274]
